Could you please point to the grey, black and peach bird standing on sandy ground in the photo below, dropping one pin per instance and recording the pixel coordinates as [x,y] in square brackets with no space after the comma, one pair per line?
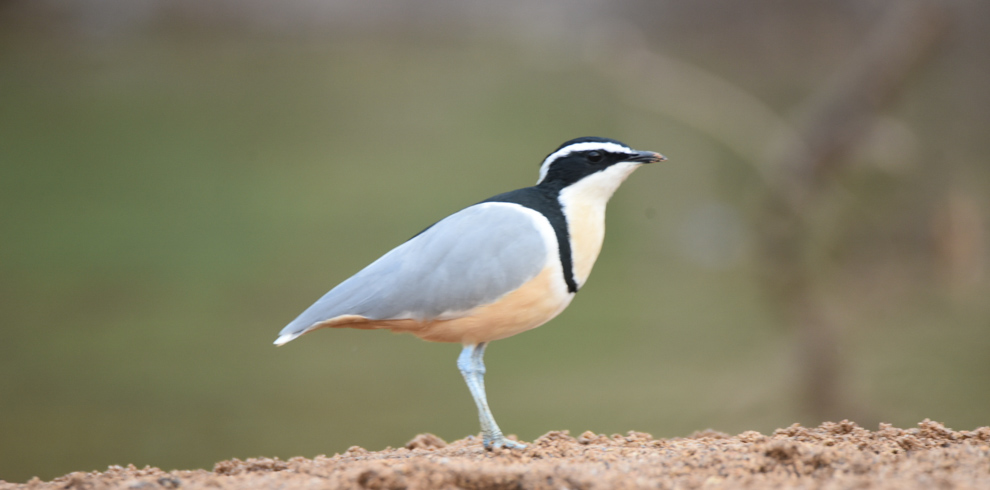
[494,269]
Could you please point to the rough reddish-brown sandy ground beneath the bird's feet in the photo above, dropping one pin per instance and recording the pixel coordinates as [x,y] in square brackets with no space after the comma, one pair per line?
[834,455]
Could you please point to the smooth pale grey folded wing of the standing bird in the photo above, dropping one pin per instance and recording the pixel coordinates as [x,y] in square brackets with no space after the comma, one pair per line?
[469,259]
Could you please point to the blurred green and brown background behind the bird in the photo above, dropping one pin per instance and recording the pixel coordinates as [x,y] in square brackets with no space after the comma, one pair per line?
[179,179]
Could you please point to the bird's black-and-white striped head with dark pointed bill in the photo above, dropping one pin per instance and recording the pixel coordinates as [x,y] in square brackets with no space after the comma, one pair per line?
[605,160]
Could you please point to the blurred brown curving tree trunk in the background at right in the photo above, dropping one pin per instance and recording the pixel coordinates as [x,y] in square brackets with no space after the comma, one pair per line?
[830,125]
